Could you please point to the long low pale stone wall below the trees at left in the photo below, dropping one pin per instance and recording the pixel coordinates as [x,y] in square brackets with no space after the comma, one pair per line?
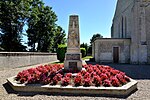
[18,59]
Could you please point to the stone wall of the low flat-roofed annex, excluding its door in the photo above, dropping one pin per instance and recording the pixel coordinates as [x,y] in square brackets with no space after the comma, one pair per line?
[103,52]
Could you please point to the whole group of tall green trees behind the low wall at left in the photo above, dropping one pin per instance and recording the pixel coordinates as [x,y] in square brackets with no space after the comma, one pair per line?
[40,20]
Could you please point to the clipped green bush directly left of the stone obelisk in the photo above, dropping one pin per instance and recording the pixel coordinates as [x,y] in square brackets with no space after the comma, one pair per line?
[61,52]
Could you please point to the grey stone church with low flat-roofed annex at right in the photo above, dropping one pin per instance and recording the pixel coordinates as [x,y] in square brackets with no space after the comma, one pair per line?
[130,35]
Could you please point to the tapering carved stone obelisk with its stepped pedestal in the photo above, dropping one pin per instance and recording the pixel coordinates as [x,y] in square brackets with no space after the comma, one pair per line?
[73,62]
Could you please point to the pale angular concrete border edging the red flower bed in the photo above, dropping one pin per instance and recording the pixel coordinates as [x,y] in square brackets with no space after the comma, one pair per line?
[123,91]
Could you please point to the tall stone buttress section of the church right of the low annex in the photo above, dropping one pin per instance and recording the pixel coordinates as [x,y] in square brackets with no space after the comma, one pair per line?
[139,37]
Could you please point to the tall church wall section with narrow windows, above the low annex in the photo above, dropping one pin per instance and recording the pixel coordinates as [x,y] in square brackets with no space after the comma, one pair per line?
[122,21]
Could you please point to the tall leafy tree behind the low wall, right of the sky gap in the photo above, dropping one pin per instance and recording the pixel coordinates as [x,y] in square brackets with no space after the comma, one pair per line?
[41,28]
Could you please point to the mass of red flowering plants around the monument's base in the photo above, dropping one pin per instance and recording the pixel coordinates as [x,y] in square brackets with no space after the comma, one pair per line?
[93,75]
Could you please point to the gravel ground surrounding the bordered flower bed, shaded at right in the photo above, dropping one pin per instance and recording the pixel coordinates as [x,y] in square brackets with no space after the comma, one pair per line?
[141,73]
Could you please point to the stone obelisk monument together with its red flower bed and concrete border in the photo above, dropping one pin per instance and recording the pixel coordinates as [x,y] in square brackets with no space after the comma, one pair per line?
[94,80]
